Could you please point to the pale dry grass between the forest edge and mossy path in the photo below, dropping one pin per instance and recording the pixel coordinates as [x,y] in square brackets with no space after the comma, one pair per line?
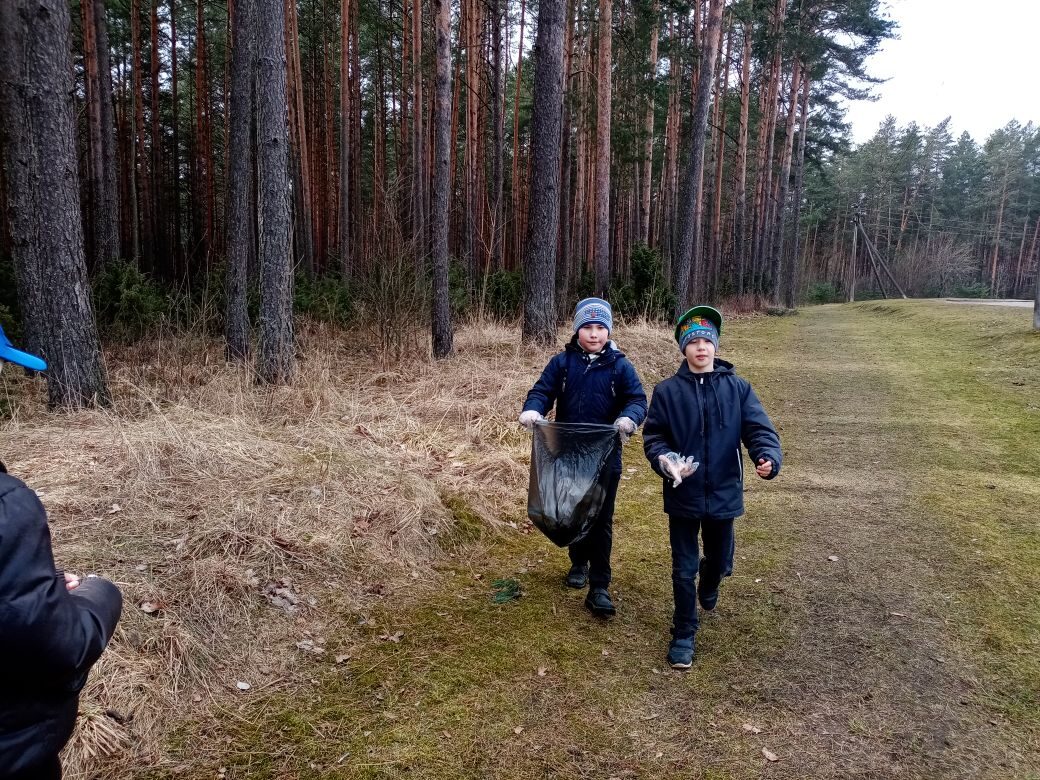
[202,496]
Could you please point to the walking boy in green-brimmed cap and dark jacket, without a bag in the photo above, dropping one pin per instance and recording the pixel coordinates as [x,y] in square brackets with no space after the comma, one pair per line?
[697,423]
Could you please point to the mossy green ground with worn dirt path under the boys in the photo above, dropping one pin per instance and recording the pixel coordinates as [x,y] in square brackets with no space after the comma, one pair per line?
[883,619]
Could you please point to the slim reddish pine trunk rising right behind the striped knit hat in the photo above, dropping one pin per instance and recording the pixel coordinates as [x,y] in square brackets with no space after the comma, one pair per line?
[604,94]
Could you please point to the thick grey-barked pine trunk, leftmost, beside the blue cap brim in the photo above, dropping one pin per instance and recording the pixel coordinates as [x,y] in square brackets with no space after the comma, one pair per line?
[43,192]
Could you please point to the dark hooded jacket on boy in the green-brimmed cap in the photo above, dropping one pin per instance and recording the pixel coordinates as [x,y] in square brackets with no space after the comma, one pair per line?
[708,417]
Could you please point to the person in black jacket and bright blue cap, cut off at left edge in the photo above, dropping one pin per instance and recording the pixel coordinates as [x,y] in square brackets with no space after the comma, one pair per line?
[54,628]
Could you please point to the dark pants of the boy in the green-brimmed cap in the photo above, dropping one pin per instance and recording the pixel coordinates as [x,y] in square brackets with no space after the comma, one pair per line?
[718,538]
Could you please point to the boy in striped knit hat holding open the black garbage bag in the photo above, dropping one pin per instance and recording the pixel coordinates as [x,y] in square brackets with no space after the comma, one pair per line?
[592,381]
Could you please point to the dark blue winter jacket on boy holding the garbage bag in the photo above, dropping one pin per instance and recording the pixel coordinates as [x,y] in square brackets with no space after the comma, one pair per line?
[588,391]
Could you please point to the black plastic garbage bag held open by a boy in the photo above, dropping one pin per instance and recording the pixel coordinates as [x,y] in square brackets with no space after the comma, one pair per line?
[567,481]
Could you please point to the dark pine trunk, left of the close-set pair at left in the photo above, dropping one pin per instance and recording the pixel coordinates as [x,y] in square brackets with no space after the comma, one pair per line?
[241,180]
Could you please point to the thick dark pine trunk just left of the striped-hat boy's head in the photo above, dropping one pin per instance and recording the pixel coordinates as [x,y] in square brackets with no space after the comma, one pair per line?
[547,136]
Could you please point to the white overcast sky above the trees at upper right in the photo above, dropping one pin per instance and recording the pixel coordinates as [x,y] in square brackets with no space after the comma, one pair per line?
[978,63]
